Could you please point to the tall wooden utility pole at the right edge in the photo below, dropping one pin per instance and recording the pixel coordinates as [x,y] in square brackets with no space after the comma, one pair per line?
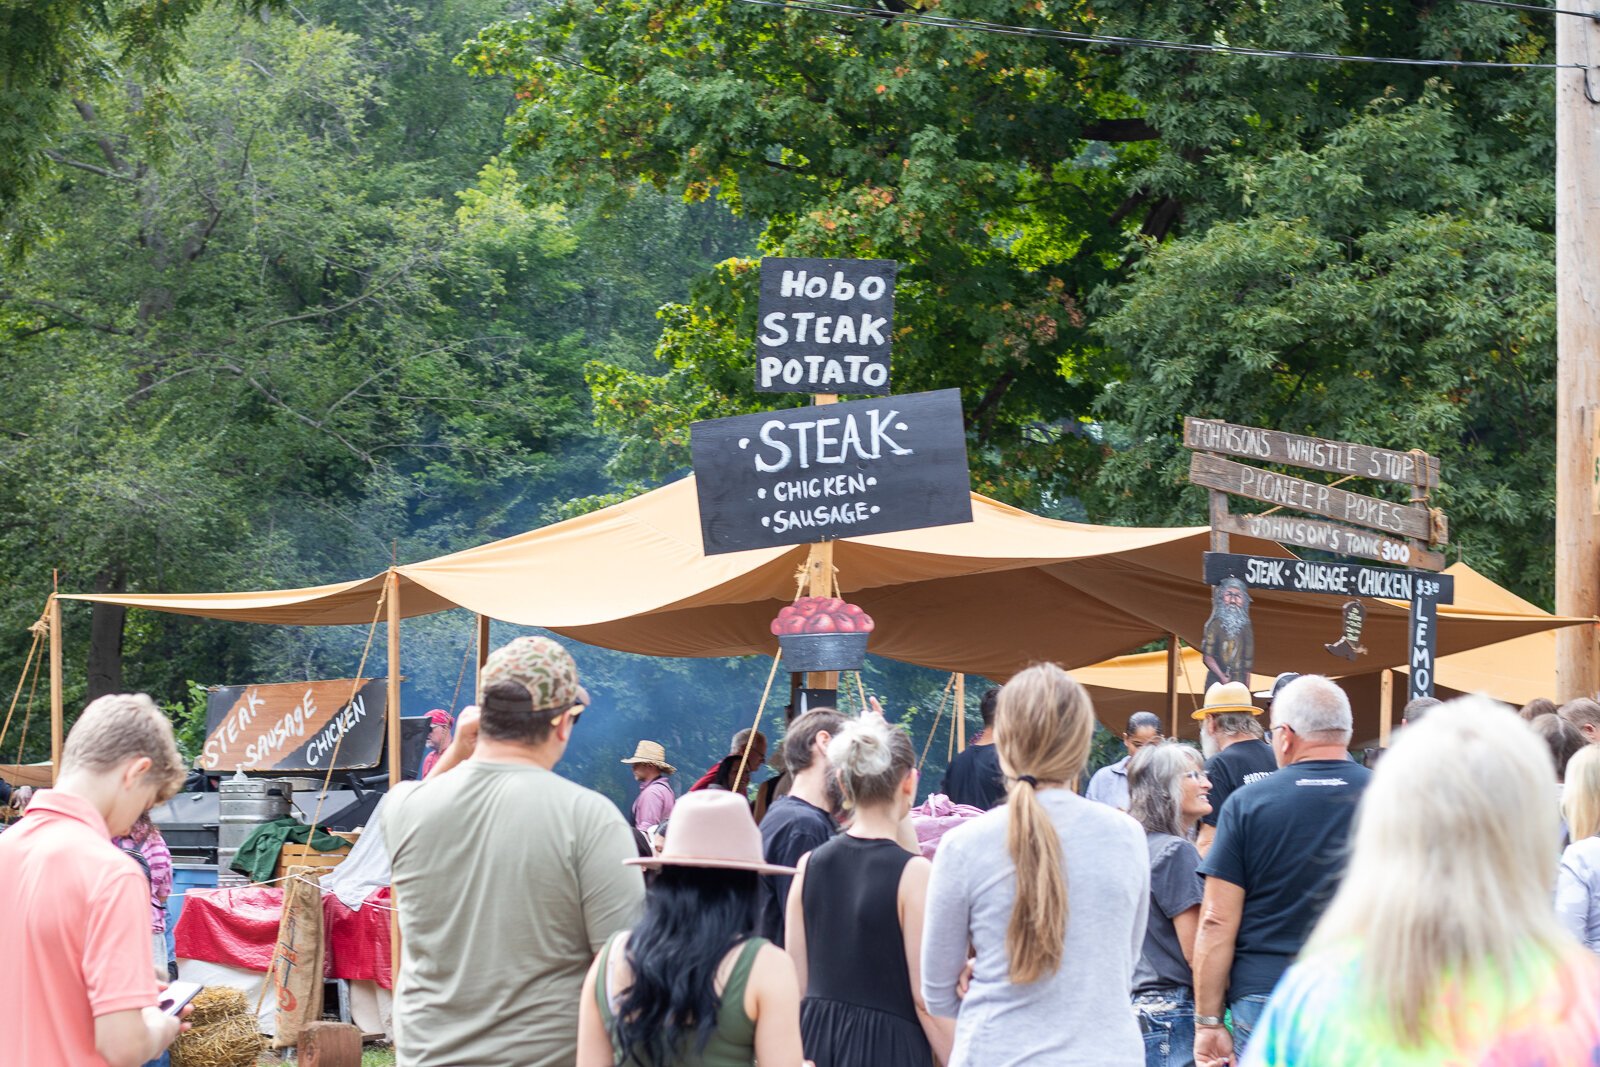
[1577,354]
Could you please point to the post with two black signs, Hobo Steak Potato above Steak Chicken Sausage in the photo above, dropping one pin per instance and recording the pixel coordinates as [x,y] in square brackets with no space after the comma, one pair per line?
[810,476]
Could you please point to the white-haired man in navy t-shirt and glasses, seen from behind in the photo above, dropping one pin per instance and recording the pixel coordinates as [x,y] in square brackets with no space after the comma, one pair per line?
[1276,863]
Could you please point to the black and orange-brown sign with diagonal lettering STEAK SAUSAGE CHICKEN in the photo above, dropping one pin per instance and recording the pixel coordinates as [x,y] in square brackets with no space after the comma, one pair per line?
[294,727]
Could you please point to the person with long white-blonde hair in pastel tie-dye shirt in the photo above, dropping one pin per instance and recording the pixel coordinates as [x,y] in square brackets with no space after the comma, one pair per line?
[1441,948]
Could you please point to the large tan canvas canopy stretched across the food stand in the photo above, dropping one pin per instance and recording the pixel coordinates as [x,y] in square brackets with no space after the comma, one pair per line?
[986,597]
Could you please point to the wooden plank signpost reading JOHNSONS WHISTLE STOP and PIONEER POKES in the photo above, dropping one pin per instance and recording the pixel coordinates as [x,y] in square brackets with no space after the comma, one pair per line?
[1367,527]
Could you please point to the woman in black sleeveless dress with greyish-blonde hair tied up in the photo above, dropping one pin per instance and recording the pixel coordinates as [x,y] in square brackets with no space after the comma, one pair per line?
[854,909]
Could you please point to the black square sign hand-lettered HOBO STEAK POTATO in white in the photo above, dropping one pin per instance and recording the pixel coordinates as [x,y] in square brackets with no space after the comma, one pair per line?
[825,326]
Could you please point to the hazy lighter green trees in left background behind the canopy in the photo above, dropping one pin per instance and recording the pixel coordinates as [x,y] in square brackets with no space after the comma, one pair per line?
[298,319]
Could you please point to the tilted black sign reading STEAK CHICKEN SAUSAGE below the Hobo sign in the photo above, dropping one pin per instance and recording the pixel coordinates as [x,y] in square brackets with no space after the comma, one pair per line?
[833,471]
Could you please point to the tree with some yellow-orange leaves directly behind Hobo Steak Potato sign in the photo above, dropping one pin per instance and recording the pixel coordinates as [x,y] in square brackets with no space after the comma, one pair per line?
[972,161]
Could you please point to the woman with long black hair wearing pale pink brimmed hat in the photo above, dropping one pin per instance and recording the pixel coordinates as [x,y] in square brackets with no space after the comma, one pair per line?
[692,985]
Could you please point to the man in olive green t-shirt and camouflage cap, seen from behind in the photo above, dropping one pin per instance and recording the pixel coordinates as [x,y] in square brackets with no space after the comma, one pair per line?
[508,877]
